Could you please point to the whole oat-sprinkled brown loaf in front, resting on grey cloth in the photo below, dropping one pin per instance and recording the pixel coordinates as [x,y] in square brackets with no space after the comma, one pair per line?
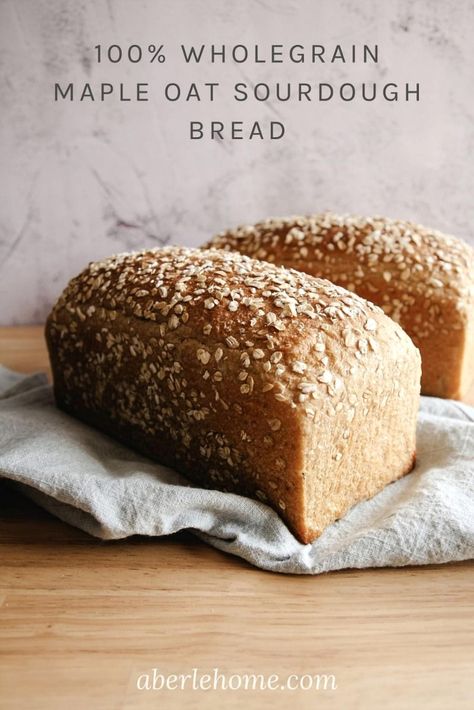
[243,376]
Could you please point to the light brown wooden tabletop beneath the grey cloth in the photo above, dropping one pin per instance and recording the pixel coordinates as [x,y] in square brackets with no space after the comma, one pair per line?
[81,620]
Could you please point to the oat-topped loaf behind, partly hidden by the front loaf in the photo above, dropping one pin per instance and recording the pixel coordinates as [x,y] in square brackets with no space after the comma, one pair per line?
[421,278]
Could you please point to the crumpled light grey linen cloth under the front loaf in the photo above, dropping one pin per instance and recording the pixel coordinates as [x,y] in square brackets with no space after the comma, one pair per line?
[90,481]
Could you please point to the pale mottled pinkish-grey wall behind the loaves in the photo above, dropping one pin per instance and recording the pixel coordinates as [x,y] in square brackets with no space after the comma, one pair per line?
[80,181]
